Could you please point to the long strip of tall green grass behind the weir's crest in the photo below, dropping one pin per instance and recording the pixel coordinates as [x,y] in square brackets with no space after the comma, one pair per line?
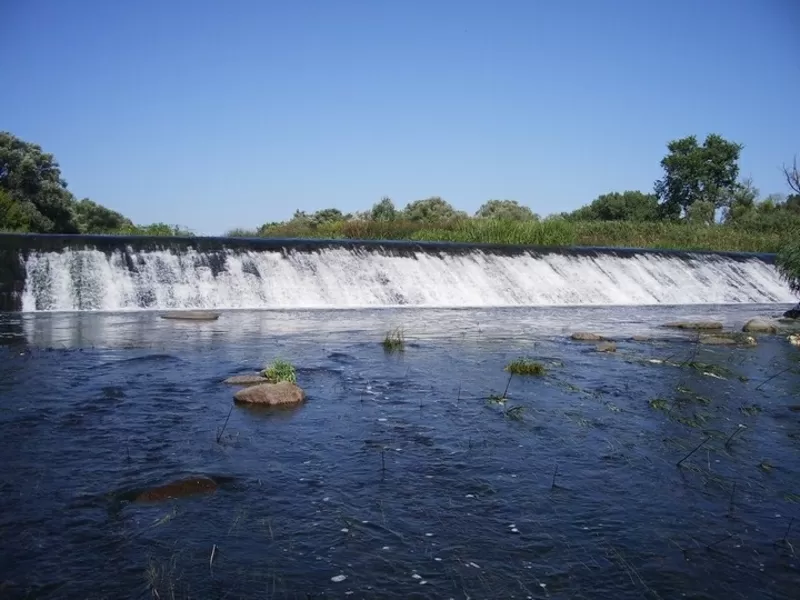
[556,232]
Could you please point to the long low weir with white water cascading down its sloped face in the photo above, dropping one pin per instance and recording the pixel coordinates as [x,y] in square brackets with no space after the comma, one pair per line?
[112,273]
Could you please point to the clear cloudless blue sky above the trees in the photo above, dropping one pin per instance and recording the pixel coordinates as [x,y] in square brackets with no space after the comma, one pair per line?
[216,114]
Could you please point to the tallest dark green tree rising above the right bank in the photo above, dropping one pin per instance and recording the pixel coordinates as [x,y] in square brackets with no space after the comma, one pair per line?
[694,173]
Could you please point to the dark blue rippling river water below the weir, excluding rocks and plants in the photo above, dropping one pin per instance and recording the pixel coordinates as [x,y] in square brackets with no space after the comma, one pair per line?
[397,473]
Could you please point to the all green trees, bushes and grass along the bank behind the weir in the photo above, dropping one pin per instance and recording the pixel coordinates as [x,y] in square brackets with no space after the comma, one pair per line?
[700,203]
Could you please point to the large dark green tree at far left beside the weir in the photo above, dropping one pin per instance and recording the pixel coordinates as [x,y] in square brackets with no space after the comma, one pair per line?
[32,179]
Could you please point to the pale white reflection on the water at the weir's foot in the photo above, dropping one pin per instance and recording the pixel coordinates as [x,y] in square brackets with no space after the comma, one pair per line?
[146,329]
